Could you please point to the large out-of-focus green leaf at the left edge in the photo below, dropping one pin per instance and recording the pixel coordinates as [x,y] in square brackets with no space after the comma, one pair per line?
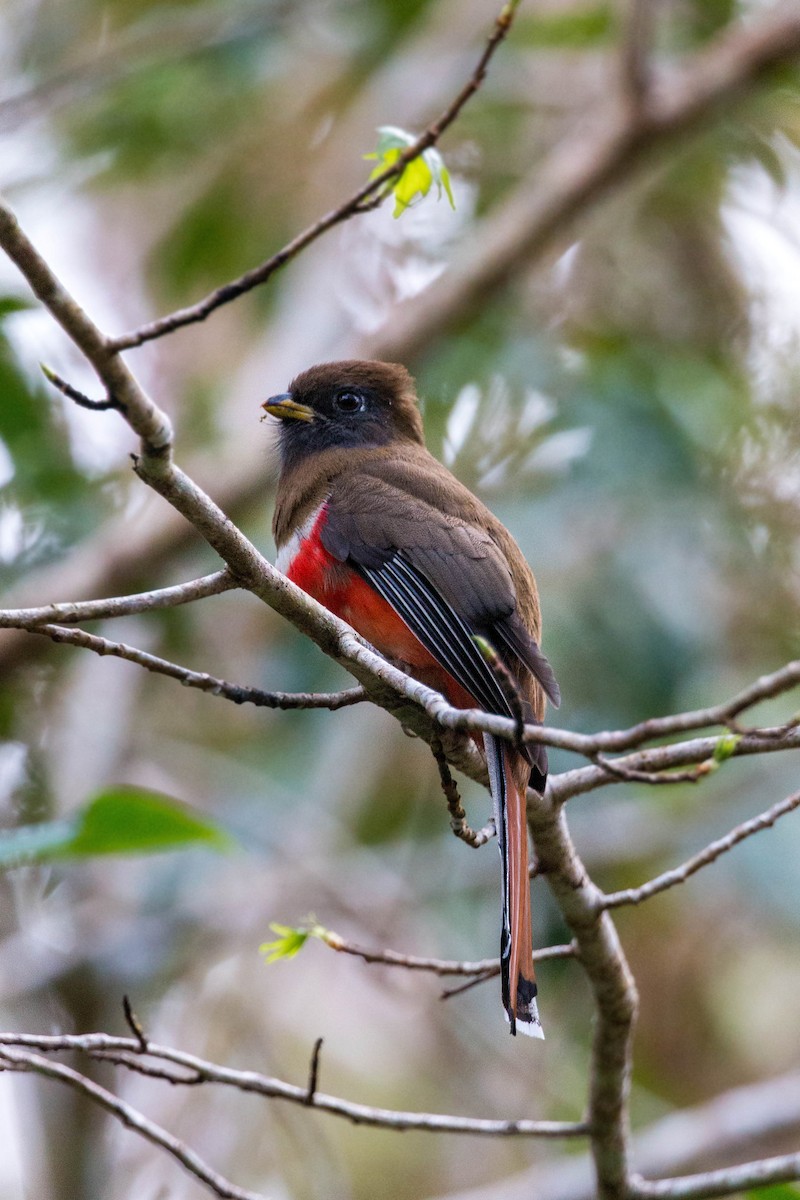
[119,821]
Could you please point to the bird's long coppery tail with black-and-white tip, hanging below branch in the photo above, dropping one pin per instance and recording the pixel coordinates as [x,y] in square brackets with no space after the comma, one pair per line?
[516,944]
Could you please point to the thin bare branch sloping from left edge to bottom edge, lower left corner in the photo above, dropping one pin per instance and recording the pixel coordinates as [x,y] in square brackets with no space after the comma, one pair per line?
[26,1061]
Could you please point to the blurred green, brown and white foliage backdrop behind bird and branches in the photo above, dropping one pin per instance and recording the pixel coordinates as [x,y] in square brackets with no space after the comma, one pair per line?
[625,403]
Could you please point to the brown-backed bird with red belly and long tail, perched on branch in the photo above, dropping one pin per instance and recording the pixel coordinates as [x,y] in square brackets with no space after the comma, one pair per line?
[371,525]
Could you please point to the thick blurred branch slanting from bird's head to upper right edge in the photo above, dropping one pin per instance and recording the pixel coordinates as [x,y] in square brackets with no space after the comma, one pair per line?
[611,148]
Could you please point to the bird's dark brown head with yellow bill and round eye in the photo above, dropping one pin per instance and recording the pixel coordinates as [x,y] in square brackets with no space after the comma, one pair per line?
[350,404]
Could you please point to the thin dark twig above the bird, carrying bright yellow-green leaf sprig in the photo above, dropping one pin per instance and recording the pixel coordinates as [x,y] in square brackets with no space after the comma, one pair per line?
[366,199]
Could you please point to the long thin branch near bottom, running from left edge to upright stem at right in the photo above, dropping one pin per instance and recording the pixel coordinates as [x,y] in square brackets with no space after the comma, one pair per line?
[264,1085]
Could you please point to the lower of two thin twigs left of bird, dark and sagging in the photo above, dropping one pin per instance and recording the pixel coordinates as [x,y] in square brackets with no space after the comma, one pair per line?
[200,680]
